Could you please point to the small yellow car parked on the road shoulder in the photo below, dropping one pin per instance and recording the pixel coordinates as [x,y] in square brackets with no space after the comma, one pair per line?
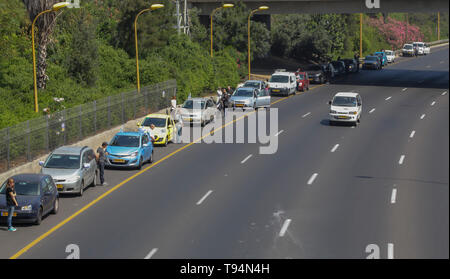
[164,127]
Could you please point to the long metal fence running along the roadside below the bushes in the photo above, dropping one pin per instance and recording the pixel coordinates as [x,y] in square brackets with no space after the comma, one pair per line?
[29,140]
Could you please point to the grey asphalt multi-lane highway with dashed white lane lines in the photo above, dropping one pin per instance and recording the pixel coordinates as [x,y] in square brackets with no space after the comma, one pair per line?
[328,192]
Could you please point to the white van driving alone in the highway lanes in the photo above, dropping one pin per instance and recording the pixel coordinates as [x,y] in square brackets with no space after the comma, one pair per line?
[345,107]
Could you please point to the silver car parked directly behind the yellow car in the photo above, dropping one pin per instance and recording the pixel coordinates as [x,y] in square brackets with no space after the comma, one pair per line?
[198,111]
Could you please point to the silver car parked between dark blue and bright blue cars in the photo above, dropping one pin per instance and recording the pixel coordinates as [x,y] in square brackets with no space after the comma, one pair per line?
[72,168]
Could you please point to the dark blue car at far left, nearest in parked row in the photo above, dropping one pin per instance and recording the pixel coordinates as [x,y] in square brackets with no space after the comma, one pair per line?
[37,196]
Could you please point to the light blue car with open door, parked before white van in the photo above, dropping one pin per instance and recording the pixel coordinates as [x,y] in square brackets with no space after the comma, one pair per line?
[248,97]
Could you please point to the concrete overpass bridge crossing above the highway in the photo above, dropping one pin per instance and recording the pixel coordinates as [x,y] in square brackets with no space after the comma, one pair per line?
[332,6]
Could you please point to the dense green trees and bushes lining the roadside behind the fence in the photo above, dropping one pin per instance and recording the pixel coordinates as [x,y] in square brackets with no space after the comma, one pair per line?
[90,52]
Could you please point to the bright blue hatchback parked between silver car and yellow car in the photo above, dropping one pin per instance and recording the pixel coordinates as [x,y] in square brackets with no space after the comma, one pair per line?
[129,149]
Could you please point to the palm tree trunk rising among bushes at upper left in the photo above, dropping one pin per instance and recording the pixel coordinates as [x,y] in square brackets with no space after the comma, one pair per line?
[44,26]
